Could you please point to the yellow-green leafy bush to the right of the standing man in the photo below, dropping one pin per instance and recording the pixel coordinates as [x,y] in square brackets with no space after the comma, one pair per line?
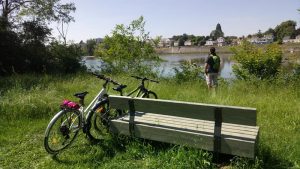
[256,62]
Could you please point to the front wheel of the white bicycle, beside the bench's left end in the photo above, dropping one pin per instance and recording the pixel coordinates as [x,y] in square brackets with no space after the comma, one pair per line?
[97,123]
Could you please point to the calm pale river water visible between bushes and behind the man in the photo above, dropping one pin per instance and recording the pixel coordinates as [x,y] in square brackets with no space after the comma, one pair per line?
[172,61]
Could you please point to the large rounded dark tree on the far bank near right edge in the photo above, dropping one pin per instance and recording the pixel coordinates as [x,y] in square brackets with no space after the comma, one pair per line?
[285,29]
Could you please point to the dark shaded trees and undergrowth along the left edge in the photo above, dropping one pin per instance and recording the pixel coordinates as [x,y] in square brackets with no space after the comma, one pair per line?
[25,37]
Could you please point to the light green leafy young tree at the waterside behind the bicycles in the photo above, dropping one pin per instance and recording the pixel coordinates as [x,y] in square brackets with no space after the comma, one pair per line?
[128,49]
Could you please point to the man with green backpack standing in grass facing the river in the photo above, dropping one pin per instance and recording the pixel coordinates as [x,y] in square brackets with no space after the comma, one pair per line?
[212,68]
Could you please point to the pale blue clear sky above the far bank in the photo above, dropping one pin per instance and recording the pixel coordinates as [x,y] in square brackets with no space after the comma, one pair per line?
[97,18]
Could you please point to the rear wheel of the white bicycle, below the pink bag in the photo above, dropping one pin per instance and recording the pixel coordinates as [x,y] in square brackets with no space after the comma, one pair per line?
[62,130]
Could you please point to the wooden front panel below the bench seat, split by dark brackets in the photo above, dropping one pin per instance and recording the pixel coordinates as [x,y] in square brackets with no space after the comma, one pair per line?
[229,145]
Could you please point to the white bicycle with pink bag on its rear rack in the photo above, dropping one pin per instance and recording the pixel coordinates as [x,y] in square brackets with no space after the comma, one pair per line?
[65,125]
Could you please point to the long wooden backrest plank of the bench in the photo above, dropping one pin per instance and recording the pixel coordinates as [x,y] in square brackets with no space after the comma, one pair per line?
[228,114]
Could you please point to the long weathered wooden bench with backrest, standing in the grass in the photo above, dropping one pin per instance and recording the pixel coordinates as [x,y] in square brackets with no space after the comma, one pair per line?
[217,128]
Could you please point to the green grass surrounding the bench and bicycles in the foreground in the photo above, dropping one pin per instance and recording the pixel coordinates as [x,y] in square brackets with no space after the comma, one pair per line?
[28,102]
